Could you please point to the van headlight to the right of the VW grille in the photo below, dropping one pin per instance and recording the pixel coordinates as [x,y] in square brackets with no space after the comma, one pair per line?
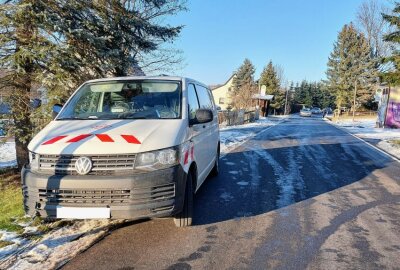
[155,160]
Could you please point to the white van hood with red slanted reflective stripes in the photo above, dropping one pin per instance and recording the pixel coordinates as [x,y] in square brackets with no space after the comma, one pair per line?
[97,137]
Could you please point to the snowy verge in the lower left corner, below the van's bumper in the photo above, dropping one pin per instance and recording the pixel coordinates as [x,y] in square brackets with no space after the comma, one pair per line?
[55,248]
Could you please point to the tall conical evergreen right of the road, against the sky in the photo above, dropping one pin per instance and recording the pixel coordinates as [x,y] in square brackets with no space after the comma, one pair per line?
[350,61]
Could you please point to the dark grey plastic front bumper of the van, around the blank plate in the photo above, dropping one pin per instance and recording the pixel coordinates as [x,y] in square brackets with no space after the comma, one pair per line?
[140,195]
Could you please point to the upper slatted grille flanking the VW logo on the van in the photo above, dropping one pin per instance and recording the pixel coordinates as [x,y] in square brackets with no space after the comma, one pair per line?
[102,164]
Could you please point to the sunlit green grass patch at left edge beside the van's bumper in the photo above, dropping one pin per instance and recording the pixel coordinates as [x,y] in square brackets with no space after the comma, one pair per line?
[11,208]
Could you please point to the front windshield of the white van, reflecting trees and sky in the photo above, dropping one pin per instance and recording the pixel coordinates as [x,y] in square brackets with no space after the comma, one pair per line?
[125,100]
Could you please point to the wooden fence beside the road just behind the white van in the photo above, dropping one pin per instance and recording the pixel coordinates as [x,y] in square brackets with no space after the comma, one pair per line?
[237,117]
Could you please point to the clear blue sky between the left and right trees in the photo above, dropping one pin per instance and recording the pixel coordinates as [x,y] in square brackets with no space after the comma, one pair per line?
[296,34]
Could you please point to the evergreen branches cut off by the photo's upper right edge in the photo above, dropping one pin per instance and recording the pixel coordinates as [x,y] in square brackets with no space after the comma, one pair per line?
[393,74]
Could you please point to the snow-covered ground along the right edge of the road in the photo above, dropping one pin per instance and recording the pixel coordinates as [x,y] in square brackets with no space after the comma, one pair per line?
[379,137]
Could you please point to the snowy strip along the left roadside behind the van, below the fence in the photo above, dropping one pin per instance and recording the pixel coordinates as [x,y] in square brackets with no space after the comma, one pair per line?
[232,136]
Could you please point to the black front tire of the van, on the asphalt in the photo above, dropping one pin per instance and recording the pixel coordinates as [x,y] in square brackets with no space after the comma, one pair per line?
[184,218]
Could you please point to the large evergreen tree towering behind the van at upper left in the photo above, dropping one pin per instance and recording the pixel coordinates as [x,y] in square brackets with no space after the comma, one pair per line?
[59,44]
